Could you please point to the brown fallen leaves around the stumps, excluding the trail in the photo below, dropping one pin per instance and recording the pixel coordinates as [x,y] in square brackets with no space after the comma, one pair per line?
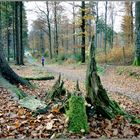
[18,122]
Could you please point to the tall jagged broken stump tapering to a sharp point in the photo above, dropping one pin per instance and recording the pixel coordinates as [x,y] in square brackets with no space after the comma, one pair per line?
[96,94]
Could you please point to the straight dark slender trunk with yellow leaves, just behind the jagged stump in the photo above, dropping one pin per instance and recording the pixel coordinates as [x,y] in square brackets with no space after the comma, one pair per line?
[83,33]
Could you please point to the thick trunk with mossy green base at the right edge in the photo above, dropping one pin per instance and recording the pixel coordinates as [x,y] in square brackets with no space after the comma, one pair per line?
[137,42]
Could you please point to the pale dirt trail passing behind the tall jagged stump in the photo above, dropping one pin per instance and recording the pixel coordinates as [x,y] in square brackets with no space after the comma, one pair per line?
[112,82]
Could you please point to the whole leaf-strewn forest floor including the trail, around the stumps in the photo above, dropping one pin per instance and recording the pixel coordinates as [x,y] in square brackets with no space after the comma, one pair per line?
[122,84]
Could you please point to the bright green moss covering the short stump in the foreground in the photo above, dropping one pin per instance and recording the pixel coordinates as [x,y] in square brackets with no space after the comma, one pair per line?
[77,115]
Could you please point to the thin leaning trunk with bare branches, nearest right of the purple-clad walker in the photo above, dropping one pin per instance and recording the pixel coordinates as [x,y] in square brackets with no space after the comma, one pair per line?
[49,27]
